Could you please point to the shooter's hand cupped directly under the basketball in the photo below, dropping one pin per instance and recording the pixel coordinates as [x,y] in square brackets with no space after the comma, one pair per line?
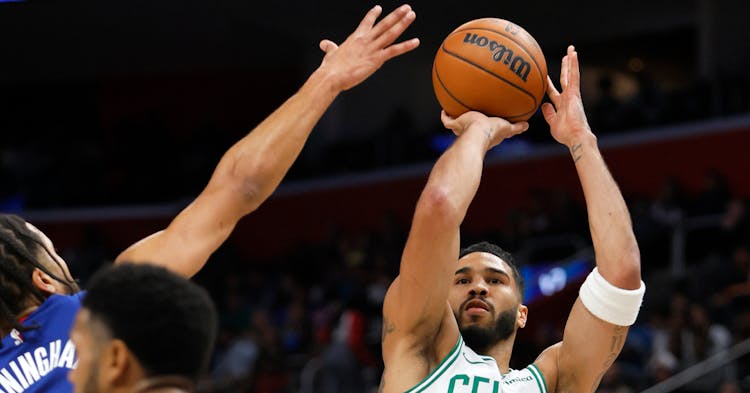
[496,129]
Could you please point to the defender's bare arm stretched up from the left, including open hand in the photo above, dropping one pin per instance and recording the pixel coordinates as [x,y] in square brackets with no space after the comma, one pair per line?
[252,169]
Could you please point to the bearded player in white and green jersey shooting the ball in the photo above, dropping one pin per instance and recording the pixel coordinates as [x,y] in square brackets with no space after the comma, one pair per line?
[450,319]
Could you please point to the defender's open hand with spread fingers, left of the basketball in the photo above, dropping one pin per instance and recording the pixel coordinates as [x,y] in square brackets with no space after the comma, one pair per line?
[368,47]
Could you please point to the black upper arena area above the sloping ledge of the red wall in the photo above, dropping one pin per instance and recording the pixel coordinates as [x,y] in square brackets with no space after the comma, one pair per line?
[134,102]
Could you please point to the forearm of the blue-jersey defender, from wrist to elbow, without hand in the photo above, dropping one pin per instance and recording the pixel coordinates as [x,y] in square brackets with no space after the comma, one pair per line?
[259,161]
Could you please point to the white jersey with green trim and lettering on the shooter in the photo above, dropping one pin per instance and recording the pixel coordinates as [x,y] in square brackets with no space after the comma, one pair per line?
[463,371]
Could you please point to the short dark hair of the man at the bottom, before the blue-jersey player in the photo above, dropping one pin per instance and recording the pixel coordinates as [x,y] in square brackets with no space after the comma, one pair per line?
[167,321]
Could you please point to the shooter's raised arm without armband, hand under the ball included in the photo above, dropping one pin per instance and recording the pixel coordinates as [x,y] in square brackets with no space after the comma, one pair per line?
[416,303]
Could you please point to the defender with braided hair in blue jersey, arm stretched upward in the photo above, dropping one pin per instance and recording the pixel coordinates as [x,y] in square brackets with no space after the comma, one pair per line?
[38,296]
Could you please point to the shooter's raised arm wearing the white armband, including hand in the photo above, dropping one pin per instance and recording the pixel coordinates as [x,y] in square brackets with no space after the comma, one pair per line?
[611,296]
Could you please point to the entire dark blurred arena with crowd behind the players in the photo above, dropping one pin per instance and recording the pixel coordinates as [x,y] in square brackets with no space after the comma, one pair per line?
[113,115]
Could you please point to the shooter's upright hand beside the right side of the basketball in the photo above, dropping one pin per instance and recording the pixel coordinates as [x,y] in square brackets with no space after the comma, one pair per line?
[566,116]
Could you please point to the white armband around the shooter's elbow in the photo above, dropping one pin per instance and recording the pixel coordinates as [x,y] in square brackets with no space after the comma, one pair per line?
[610,303]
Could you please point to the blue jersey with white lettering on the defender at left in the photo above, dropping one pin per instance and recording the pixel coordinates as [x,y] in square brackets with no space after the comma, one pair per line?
[38,360]
